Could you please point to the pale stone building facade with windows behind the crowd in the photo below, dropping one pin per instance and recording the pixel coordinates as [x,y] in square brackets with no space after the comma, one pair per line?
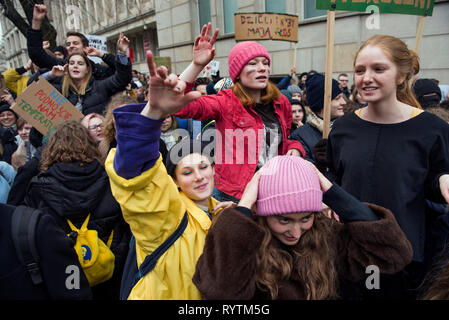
[169,27]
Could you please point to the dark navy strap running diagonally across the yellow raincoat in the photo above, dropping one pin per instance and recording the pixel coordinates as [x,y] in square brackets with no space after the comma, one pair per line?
[132,274]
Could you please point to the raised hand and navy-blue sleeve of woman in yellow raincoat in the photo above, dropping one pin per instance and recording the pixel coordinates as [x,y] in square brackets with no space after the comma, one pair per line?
[139,126]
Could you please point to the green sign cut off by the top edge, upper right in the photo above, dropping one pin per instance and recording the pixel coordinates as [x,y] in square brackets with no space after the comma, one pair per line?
[413,7]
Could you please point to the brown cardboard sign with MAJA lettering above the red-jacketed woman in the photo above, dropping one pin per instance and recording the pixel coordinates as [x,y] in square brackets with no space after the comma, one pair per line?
[266,26]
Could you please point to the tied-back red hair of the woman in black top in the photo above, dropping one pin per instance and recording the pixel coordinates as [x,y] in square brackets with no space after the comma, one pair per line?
[407,62]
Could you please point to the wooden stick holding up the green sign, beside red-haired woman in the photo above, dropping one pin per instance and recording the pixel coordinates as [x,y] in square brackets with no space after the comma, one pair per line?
[328,78]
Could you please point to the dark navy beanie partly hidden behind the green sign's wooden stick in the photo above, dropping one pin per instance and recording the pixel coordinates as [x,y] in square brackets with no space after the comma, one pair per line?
[315,91]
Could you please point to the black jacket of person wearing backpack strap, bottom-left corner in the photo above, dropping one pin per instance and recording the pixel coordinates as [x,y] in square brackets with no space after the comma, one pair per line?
[55,252]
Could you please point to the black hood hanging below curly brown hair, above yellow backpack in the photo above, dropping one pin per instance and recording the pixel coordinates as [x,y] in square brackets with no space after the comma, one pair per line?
[72,189]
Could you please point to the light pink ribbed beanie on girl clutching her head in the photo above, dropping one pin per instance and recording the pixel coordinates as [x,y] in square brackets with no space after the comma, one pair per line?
[288,184]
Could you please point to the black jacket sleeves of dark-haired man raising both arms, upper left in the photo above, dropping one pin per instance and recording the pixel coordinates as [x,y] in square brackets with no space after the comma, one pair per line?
[43,60]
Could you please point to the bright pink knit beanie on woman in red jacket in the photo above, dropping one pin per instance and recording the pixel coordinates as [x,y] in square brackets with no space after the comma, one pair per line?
[241,53]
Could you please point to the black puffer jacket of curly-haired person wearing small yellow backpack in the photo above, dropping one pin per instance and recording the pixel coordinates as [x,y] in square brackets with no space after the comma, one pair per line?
[72,191]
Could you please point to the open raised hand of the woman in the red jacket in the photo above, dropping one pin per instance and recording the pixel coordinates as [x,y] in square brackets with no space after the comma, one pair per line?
[203,48]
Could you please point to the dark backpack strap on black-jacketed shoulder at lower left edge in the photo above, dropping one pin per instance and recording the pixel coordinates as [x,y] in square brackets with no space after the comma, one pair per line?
[23,227]
